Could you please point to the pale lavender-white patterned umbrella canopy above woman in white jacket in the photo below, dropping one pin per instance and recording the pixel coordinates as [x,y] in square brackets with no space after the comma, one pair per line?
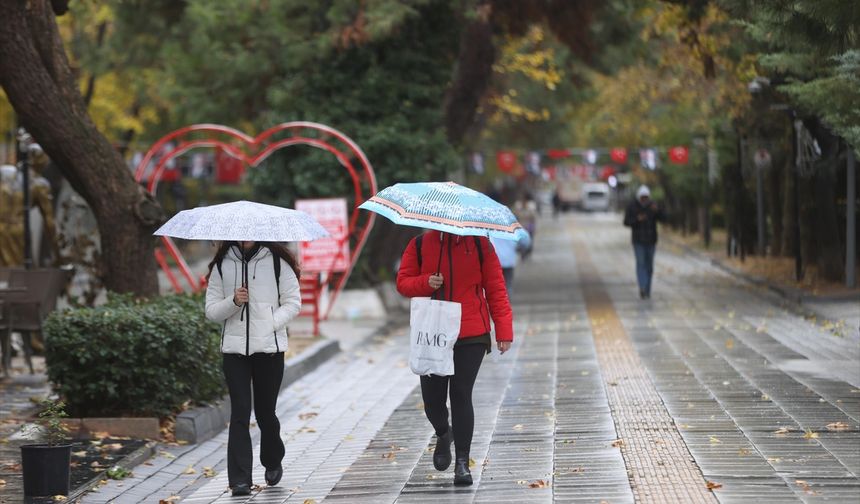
[243,221]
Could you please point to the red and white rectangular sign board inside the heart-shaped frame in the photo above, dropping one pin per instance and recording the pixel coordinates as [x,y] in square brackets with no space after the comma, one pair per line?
[326,254]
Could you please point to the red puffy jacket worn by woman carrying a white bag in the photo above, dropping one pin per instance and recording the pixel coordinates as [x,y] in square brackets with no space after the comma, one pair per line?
[480,290]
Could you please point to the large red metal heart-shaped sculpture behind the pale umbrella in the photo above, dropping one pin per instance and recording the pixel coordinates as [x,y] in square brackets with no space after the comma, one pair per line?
[252,151]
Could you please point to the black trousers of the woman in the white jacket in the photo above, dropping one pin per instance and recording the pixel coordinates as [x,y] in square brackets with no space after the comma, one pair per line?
[260,374]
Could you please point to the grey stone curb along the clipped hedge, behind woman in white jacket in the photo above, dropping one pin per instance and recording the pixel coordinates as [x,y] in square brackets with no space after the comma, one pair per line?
[203,423]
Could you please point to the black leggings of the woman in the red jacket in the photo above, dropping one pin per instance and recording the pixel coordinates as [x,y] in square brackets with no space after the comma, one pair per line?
[434,390]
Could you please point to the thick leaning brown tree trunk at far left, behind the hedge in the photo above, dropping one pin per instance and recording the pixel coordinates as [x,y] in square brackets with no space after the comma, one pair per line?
[36,77]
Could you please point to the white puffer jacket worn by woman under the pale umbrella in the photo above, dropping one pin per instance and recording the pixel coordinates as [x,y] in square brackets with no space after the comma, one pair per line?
[262,327]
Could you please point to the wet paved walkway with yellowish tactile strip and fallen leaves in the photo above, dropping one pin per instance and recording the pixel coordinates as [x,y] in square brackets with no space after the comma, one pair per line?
[603,398]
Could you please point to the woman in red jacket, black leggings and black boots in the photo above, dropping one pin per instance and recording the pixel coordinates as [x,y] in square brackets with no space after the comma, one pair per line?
[464,269]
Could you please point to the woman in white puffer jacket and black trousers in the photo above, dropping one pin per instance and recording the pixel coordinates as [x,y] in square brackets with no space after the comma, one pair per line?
[254,307]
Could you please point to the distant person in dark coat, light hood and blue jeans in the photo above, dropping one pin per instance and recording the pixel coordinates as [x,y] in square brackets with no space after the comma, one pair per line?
[642,216]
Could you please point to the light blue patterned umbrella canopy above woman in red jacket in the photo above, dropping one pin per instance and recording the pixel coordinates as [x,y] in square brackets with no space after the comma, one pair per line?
[447,207]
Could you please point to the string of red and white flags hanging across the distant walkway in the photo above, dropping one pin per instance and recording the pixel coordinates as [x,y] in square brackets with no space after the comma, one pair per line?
[510,161]
